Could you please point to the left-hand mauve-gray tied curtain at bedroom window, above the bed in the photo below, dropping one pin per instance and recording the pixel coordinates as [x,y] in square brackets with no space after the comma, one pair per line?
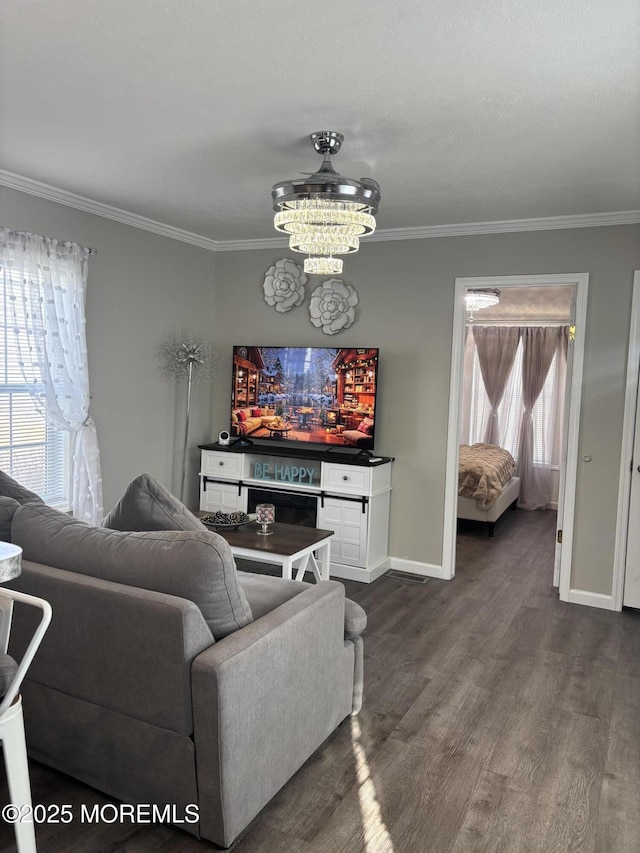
[496,347]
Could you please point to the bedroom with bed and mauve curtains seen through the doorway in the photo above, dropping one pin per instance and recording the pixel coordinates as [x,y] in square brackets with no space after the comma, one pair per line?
[514,362]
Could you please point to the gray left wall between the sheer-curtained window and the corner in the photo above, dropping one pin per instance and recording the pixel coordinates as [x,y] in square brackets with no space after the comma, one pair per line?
[140,286]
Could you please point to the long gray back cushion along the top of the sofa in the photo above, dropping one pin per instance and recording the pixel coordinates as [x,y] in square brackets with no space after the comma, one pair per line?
[191,564]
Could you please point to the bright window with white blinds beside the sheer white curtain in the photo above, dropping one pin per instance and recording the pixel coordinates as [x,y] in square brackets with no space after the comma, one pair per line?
[31,450]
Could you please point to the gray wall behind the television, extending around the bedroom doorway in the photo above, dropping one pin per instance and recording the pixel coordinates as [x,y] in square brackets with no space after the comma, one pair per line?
[406,309]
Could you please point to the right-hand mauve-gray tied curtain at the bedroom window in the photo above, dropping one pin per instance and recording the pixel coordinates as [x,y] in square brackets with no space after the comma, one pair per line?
[539,346]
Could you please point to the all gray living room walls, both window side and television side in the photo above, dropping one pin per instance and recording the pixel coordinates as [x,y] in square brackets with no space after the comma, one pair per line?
[141,285]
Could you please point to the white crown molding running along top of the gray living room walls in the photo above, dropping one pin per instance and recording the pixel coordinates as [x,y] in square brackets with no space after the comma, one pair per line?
[460,229]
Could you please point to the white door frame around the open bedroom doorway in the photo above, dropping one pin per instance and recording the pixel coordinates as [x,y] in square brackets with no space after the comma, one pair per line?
[581,282]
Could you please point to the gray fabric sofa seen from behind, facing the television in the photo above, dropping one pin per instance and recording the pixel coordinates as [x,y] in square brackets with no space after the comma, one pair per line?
[140,693]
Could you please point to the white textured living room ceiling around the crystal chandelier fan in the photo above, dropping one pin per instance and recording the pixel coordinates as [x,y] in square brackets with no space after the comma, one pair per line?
[187,111]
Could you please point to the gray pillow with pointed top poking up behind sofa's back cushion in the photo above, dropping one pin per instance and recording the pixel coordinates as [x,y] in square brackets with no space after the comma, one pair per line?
[148,505]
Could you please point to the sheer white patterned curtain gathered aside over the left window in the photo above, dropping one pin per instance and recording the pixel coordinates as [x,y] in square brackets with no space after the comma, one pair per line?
[47,301]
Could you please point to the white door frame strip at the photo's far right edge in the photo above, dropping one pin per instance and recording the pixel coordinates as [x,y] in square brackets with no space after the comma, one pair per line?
[626,455]
